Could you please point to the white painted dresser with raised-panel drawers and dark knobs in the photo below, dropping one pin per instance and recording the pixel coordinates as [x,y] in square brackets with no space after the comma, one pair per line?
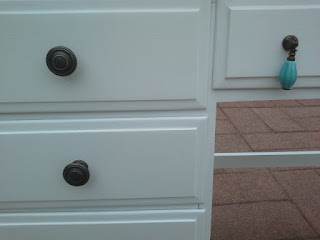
[107,109]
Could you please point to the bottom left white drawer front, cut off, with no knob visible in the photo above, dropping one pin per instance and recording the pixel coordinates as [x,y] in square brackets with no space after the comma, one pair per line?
[156,225]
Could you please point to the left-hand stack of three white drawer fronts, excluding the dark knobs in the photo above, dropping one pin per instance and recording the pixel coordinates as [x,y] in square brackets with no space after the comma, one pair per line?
[133,56]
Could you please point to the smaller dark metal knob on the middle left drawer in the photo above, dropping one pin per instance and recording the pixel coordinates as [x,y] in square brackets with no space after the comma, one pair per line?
[76,173]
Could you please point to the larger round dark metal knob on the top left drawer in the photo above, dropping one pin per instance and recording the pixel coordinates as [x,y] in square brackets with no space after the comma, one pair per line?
[61,61]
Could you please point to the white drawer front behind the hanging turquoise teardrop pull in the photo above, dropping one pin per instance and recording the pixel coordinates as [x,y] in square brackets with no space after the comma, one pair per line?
[249,36]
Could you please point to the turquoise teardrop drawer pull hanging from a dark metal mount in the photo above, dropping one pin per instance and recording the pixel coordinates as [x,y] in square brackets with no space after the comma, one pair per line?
[289,73]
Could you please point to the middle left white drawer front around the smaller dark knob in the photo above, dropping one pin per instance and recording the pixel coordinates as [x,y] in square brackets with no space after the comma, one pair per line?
[148,161]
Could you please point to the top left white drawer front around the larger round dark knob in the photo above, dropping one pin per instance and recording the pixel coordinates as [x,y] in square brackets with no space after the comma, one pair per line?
[123,54]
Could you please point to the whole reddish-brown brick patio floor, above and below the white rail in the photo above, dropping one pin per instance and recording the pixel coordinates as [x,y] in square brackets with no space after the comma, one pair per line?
[267,203]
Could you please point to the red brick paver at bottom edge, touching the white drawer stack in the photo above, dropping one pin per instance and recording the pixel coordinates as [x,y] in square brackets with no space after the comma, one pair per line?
[260,221]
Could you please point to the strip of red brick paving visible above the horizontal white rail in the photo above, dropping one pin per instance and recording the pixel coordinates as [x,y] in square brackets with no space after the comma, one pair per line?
[290,120]
